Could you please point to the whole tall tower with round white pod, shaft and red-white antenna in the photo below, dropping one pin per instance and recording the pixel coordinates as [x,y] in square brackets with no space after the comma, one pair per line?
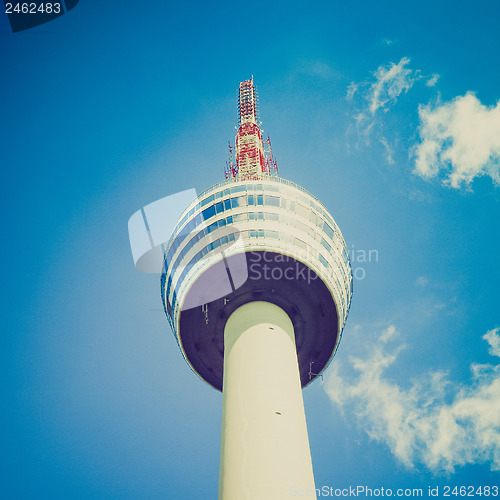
[257,286]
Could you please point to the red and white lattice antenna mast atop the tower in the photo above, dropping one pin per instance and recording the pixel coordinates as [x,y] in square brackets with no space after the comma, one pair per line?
[252,160]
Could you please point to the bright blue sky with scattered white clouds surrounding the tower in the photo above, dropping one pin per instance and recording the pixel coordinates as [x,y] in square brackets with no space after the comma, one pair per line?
[386,111]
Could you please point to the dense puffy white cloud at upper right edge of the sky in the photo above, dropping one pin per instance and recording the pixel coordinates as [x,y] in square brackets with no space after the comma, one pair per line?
[461,137]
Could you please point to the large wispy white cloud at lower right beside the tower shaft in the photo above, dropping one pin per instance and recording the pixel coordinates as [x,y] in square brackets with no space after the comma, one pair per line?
[422,424]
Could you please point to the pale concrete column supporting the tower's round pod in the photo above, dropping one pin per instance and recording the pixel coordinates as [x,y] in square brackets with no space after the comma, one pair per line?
[264,444]
